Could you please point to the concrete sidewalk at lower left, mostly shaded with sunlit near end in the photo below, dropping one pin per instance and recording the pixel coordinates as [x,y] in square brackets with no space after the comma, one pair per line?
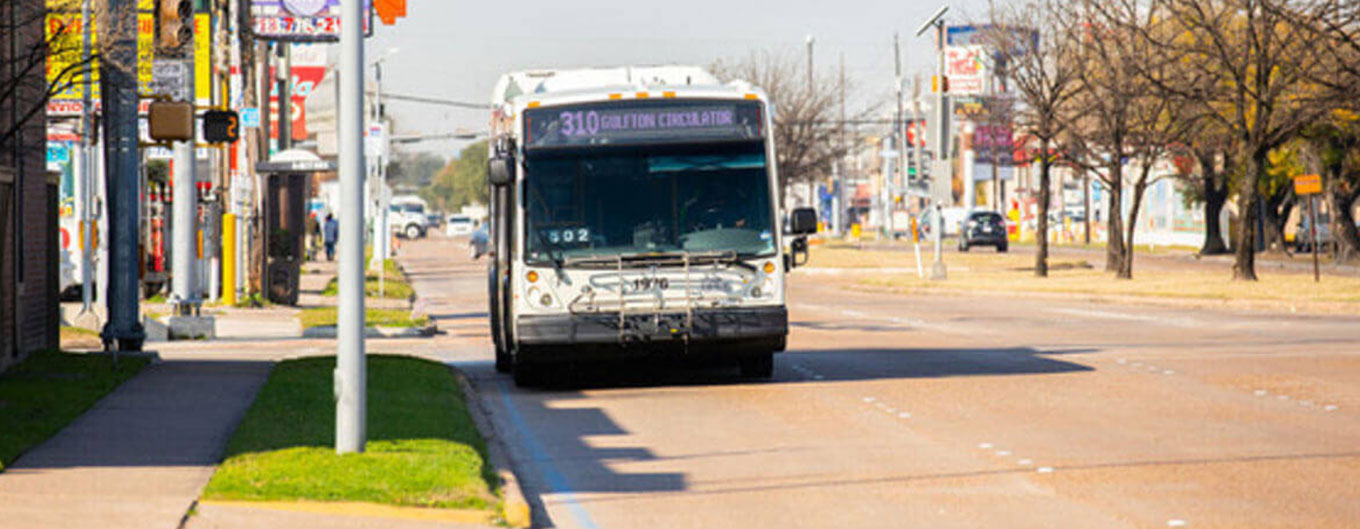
[139,458]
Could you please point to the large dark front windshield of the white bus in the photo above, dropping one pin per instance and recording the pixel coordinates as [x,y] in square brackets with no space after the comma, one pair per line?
[636,202]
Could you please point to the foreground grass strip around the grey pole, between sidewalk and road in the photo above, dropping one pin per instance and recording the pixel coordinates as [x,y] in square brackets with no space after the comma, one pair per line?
[424,448]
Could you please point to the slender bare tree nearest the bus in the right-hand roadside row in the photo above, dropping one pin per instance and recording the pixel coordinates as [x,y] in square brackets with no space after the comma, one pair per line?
[1036,48]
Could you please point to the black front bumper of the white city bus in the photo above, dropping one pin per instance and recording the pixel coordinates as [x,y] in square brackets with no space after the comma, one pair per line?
[708,330]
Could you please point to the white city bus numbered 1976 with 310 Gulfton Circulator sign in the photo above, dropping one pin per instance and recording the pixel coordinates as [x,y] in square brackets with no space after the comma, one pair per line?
[634,214]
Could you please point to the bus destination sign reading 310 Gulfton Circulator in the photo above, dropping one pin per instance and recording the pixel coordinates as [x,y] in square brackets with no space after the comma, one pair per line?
[643,123]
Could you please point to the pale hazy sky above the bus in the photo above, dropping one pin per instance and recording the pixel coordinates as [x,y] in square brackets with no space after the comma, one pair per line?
[454,50]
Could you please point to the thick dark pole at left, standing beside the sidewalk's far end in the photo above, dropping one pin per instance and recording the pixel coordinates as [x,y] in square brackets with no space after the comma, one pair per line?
[123,171]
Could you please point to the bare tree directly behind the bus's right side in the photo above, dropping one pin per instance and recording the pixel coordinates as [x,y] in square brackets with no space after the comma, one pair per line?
[807,119]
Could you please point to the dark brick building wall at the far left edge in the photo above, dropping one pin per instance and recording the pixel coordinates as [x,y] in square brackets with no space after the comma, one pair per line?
[29,307]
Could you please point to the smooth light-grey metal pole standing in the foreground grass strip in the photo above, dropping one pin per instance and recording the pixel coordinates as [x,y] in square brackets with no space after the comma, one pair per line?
[350,379]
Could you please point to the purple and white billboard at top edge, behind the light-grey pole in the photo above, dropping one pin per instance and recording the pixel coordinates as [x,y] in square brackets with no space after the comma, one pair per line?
[304,21]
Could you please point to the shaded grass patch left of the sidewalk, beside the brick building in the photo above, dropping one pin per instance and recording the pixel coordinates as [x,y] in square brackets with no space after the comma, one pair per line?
[48,391]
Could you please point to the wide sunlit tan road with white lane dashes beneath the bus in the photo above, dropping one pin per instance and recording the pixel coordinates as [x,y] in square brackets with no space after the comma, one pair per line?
[940,411]
